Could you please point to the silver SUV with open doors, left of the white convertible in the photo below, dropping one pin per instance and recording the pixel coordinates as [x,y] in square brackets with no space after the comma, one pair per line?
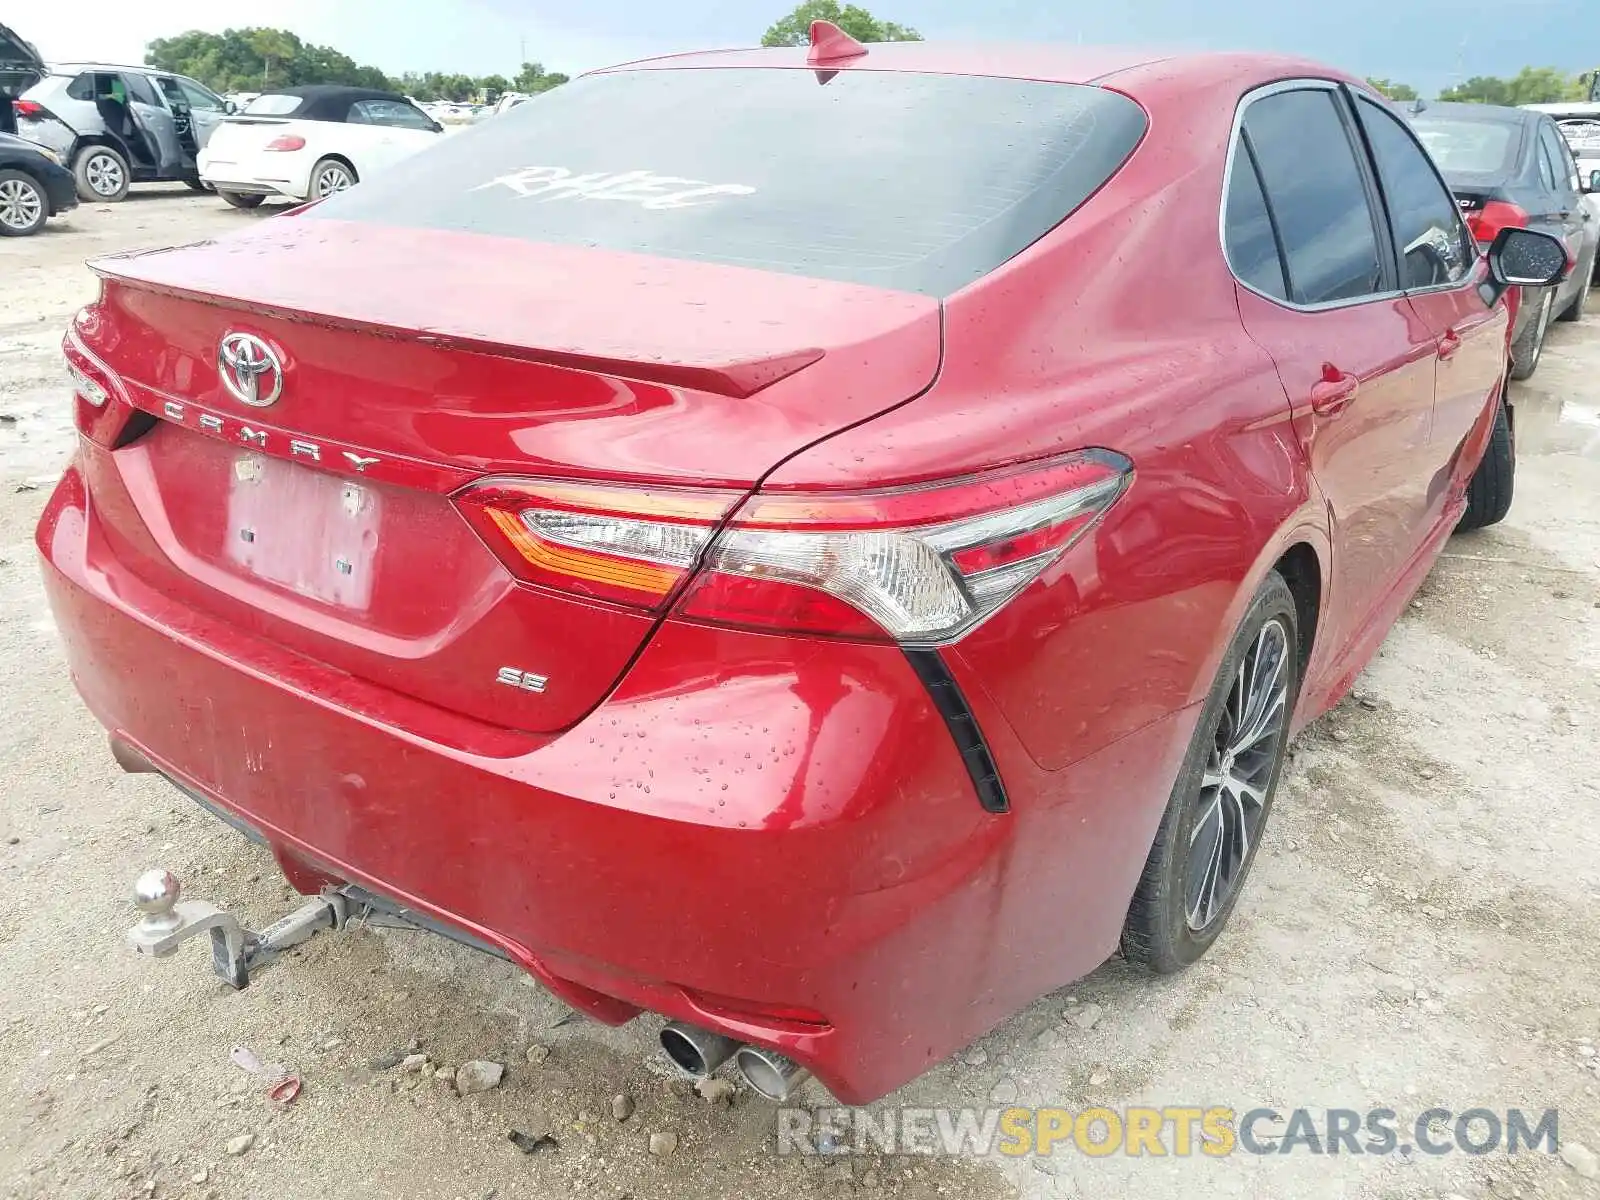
[121,126]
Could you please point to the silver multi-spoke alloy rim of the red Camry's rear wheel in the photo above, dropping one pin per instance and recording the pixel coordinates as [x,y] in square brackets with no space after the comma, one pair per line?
[1233,799]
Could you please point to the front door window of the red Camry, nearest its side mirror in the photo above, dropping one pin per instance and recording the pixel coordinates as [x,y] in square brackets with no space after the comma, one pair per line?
[1430,234]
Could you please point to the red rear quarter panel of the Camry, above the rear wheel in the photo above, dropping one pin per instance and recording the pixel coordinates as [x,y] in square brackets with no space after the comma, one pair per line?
[1121,329]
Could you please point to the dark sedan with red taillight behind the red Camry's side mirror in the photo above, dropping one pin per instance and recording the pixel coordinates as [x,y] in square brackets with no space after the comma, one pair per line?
[1511,167]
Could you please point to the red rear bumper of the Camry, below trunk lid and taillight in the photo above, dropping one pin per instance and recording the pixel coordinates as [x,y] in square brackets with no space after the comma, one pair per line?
[780,847]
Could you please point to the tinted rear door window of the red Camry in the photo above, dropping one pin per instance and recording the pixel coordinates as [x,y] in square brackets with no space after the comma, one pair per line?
[1318,196]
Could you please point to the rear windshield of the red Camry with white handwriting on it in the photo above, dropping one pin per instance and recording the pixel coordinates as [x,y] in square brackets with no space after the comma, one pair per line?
[919,183]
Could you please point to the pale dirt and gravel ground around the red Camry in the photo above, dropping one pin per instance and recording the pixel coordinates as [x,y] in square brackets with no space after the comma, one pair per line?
[1420,932]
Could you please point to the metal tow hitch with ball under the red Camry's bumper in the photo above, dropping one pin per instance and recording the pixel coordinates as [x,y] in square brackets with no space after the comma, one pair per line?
[236,951]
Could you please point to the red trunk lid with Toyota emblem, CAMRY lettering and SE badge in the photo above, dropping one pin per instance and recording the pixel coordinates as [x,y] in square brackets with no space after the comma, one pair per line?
[417,362]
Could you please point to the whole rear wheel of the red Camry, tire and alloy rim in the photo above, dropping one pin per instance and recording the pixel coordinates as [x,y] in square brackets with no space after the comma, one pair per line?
[1218,809]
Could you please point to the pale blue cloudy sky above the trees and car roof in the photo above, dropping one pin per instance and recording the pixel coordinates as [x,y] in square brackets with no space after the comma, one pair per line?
[1428,44]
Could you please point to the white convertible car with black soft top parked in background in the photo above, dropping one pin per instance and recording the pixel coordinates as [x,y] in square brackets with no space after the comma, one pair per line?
[308,143]
